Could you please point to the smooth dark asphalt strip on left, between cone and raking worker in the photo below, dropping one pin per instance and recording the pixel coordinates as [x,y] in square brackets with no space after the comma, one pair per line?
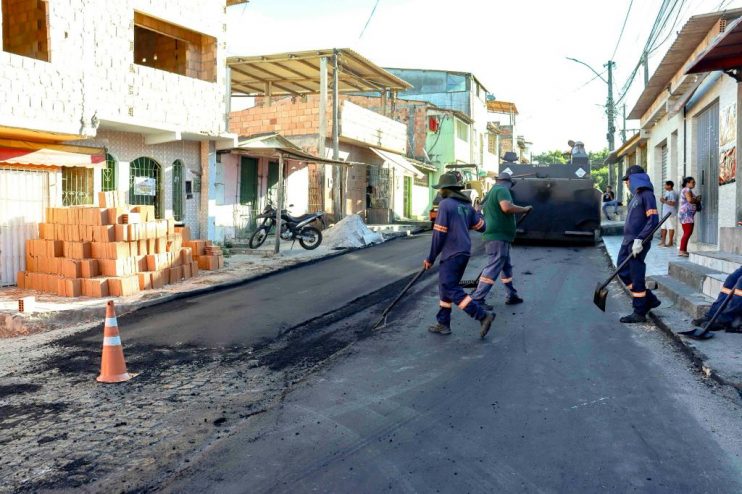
[263,309]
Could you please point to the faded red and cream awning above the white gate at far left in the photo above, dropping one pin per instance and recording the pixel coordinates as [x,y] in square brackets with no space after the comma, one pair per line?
[46,156]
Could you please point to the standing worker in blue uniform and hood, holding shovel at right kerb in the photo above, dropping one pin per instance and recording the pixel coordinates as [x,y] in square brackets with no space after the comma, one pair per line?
[641,218]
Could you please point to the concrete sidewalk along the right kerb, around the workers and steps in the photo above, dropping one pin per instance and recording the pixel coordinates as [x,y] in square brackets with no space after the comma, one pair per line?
[720,357]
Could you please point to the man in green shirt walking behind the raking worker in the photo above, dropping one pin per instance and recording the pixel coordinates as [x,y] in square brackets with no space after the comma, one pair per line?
[499,215]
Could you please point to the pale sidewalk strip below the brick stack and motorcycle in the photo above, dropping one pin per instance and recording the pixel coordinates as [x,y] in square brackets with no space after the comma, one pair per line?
[53,312]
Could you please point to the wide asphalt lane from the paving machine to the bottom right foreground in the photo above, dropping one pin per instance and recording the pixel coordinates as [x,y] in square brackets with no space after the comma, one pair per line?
[560,398]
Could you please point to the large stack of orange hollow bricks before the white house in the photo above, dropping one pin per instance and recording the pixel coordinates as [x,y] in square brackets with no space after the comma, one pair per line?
[106,251]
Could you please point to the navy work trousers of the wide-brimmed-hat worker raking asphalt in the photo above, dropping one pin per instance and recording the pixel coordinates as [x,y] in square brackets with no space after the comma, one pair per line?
[449,274]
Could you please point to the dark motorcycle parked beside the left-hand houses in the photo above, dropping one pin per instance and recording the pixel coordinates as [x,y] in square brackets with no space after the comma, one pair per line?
[292,227]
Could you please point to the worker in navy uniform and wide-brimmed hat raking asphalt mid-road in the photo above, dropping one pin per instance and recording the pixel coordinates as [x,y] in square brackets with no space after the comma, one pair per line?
[451,241]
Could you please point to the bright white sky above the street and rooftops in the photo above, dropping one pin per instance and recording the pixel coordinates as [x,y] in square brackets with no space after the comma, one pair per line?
[517,49]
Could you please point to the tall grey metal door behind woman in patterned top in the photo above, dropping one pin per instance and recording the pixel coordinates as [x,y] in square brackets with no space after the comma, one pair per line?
[707,137]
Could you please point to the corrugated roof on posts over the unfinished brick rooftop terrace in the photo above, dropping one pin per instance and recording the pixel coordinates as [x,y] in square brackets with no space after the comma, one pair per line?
[298,73]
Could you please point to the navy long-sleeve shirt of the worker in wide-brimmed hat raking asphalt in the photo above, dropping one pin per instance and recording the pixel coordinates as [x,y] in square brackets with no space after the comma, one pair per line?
[451,230]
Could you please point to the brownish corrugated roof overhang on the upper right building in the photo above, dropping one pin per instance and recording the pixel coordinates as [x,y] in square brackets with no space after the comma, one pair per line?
[687,40]
